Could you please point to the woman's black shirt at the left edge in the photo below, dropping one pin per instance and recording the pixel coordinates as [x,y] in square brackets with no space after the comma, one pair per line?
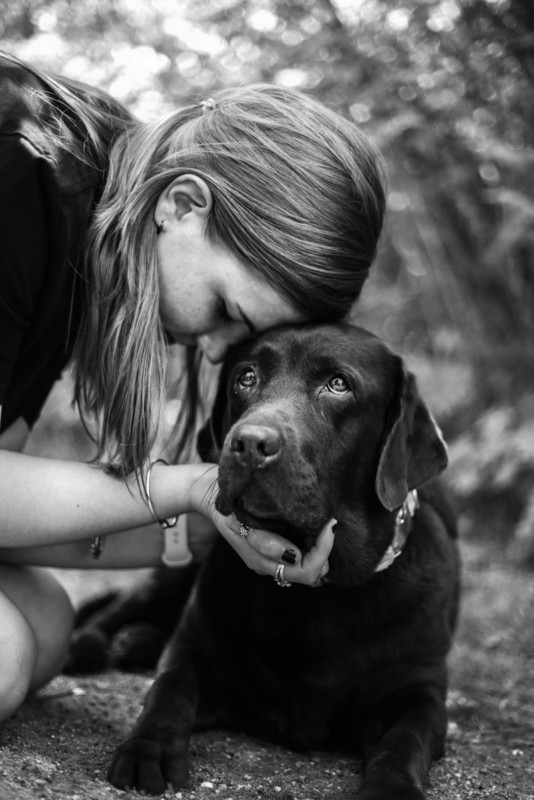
[46,198]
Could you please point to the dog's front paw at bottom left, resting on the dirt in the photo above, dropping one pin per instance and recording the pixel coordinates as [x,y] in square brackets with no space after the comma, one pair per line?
[148,765]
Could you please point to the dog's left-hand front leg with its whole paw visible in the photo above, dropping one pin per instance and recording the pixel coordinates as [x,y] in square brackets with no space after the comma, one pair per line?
[155,755]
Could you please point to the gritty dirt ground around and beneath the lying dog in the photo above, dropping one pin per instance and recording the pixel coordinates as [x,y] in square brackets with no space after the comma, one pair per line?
[59,744]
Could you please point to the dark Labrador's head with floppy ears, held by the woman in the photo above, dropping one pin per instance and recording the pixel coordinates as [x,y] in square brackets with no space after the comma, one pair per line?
[316,422]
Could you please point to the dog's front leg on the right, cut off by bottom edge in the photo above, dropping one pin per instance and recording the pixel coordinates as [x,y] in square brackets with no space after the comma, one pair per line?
[398,761]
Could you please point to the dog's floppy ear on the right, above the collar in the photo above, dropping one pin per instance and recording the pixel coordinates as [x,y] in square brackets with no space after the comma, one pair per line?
[413,451]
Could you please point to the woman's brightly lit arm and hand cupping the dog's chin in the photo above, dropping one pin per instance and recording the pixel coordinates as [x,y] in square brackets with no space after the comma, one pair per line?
[45,501]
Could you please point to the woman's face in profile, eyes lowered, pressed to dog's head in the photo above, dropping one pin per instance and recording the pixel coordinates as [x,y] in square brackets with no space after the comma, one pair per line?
[208,297]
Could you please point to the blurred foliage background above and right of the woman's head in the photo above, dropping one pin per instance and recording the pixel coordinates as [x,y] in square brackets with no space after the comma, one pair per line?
[445,87]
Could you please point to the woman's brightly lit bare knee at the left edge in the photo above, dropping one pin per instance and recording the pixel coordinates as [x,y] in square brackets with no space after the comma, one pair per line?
[18,657]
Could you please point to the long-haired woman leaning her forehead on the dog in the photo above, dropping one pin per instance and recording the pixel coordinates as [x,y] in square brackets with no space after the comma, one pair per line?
[227,217]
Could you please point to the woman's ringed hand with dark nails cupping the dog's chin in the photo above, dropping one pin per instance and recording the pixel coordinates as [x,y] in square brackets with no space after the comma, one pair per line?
[263,551]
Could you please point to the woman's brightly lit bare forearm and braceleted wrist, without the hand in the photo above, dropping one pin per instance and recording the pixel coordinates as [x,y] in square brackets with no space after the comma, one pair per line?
[48,501]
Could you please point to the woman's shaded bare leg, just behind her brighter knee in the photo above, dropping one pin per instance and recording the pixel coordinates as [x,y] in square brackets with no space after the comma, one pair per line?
[45,606]
